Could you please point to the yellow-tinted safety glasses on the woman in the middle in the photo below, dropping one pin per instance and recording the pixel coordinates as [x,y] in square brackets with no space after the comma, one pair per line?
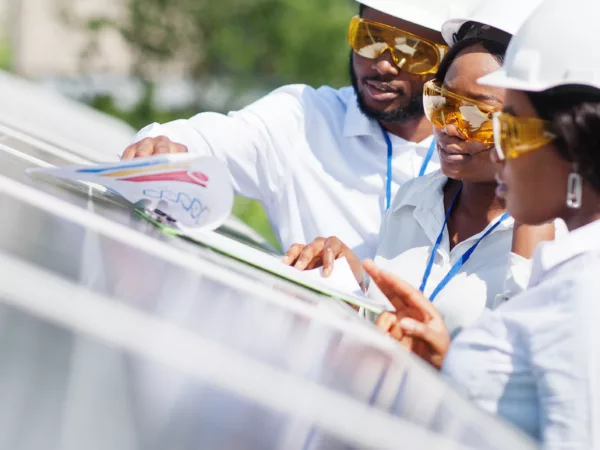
[472,118]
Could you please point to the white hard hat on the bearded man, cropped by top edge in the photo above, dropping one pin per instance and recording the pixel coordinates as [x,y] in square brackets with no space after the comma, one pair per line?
[426,13]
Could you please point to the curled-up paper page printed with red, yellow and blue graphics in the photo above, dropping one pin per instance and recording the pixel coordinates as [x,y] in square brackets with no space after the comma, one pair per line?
[195,191]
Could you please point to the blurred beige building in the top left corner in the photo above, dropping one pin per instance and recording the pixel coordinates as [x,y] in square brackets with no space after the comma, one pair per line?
[45,48]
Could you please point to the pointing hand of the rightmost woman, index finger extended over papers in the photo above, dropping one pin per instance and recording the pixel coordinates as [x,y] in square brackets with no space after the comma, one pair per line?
[416,324]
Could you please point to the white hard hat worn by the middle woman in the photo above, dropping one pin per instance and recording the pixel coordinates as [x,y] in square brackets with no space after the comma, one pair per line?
[505,15]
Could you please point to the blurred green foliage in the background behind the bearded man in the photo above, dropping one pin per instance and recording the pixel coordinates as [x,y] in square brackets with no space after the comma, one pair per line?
[245,44]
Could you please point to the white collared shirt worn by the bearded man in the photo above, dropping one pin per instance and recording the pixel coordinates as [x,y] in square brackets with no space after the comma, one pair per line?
[317,164]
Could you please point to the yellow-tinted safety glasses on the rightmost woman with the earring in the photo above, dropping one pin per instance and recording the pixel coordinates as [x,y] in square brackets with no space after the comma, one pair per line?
[515,136]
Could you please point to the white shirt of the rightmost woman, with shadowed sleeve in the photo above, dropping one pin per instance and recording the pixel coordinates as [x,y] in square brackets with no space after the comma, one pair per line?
[536,359]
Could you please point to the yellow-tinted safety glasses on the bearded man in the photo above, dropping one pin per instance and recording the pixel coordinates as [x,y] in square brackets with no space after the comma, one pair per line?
[409,52]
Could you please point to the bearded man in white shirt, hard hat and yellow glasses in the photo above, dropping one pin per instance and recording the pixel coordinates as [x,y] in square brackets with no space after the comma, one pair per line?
[327,162]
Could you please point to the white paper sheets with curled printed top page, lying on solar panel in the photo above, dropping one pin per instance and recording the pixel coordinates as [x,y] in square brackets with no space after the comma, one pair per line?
[197,193]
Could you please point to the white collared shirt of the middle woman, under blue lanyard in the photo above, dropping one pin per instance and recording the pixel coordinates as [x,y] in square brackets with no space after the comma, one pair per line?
[408,234]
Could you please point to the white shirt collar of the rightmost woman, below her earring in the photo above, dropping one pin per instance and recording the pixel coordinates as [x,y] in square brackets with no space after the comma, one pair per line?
[552,254]
